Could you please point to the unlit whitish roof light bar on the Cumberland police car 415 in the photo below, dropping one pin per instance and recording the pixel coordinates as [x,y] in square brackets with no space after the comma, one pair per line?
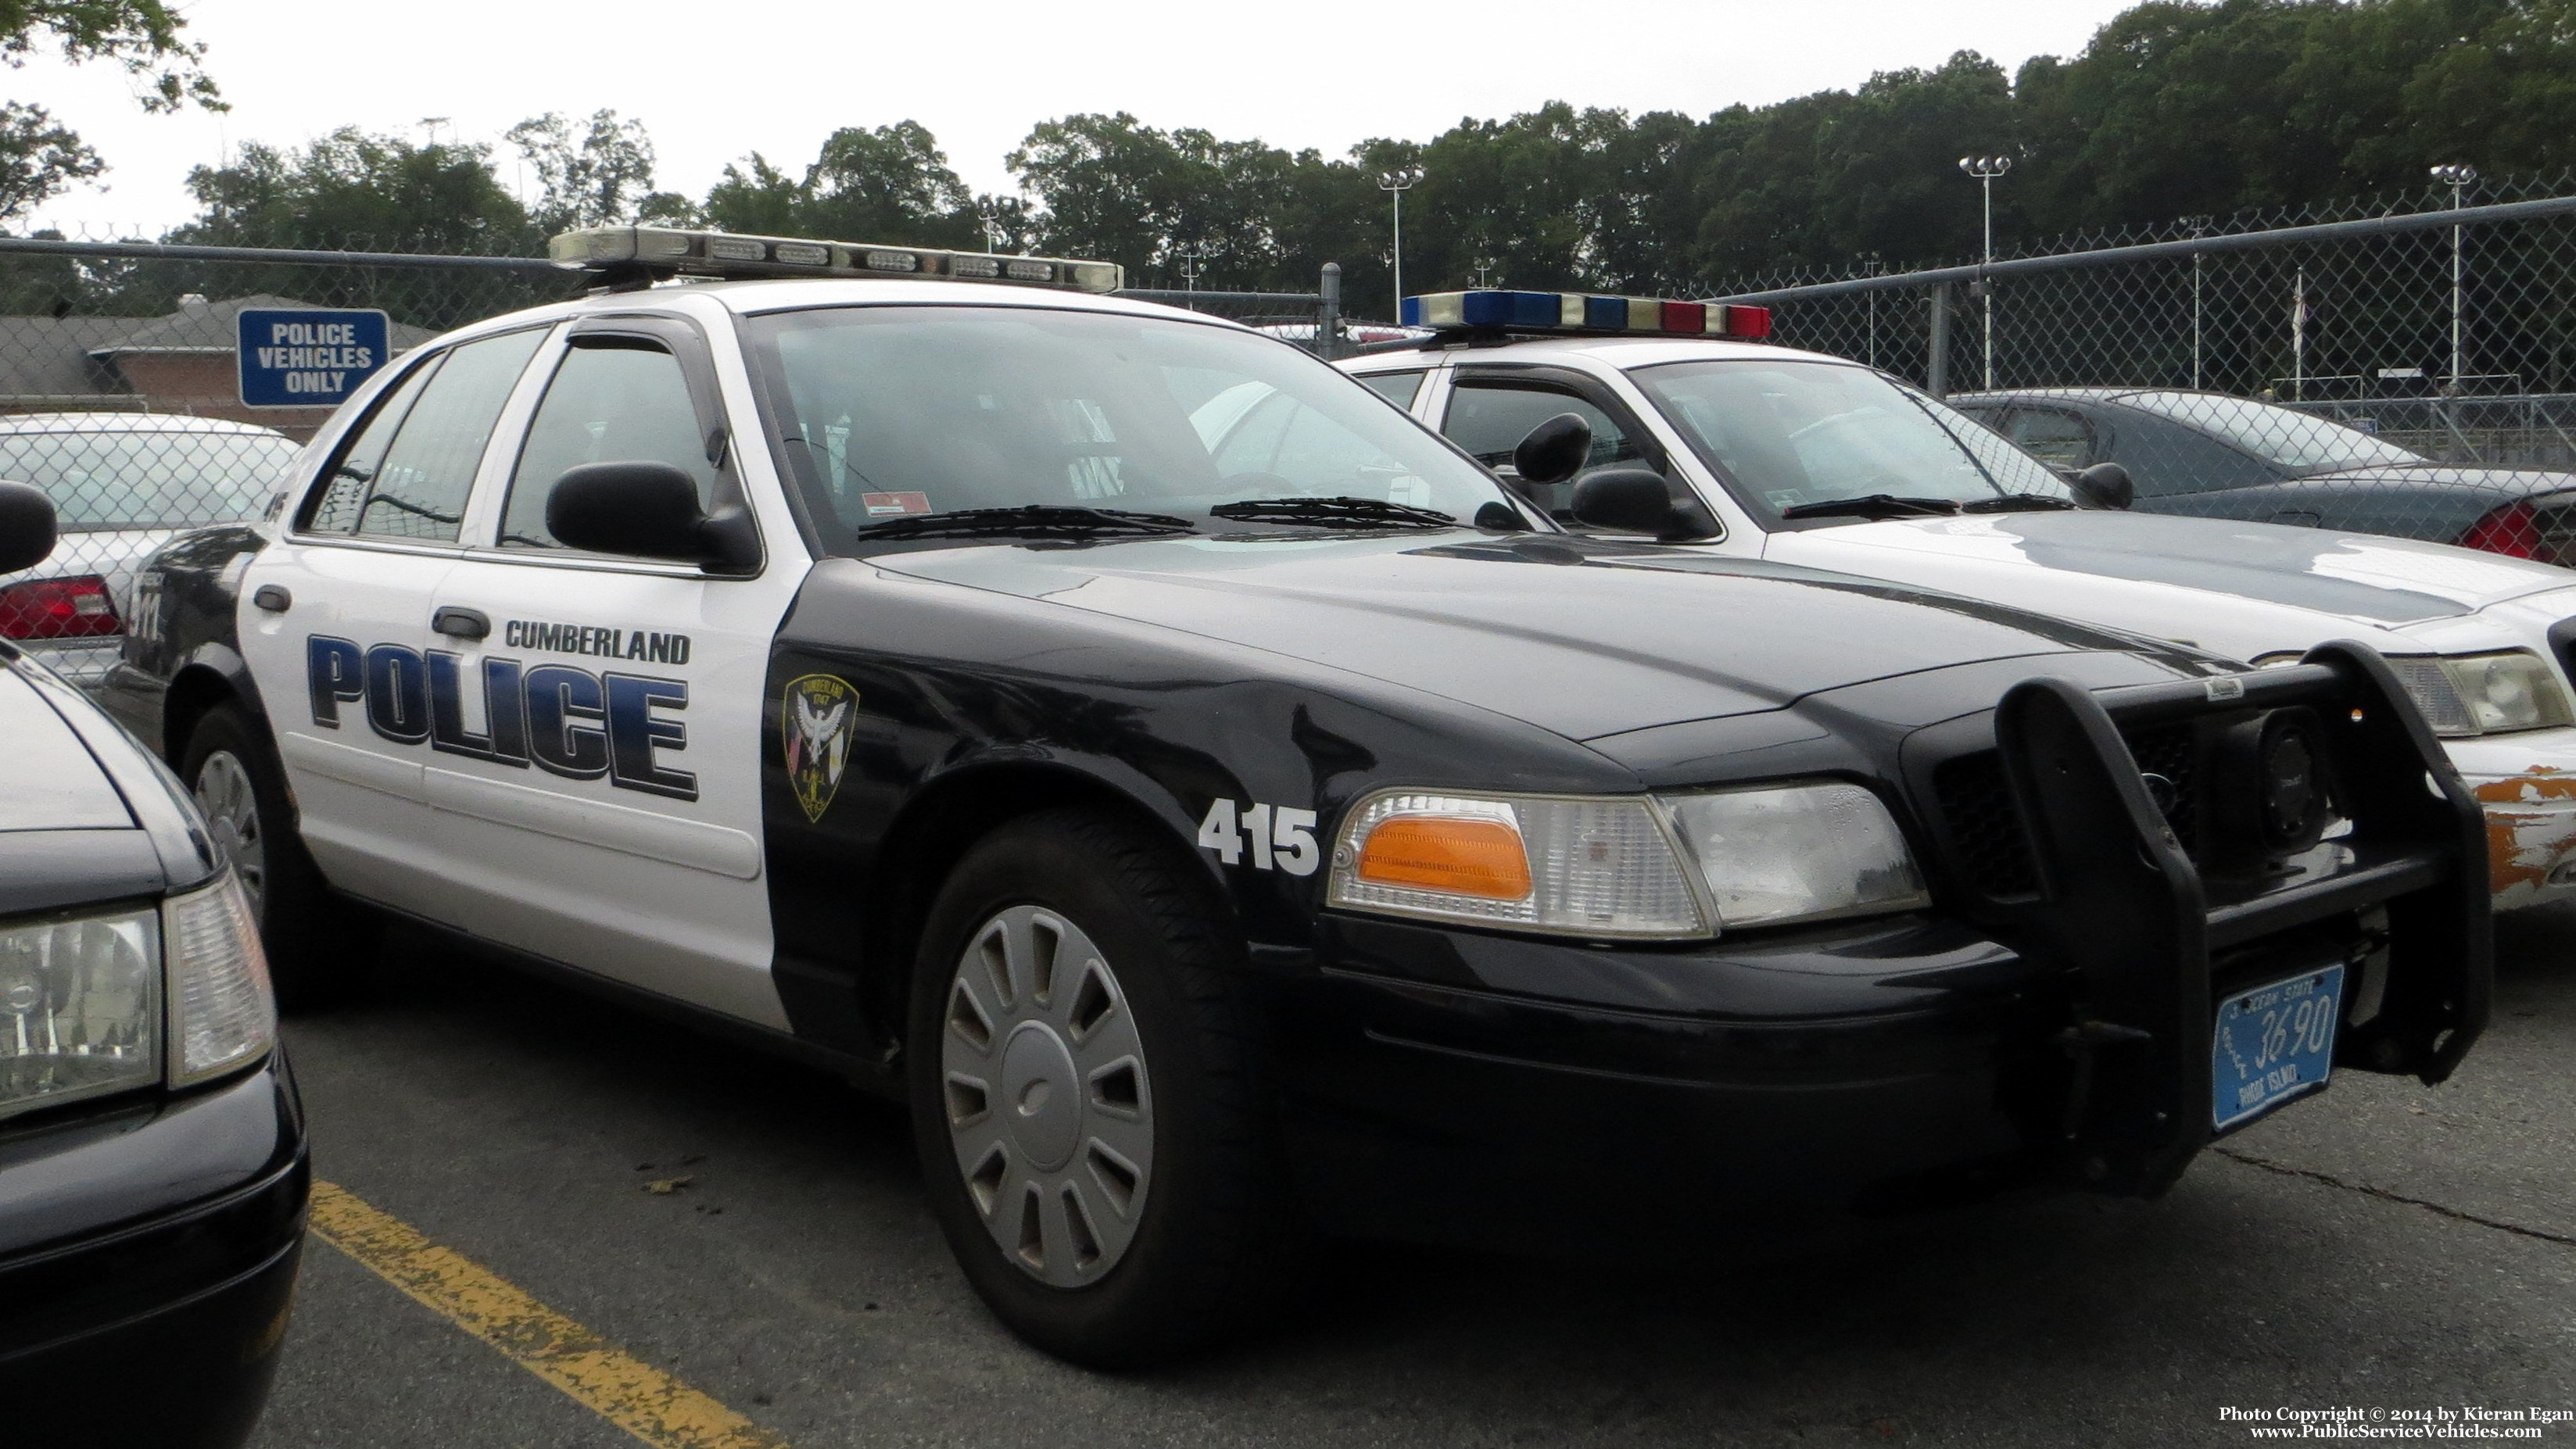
[663,251]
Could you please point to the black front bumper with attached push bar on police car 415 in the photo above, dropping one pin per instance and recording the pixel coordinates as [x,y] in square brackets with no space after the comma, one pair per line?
[1506,1093]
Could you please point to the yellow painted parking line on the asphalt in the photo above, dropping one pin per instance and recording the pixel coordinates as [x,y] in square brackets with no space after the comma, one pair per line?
[596,1373]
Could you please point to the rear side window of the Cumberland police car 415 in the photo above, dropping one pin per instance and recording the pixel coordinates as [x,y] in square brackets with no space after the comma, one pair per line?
[408,472]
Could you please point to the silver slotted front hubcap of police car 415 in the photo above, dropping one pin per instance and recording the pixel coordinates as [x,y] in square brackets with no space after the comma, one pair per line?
[1047,1098]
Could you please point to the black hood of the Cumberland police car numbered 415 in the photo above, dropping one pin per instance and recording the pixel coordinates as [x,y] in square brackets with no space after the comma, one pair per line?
[1575,637]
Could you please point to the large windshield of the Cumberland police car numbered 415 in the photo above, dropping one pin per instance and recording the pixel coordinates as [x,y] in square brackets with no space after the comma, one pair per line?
[926,411]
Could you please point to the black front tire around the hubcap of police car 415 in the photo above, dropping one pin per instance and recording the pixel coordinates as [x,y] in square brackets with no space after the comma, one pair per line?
[1217,1237]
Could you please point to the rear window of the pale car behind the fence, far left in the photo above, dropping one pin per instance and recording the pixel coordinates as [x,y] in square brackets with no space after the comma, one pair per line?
[151,480]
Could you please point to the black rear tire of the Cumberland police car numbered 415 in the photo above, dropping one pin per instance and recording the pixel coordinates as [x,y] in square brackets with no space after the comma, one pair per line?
[321,943]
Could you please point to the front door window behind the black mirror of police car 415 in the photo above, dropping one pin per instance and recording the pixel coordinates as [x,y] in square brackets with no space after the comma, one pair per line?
[614,400]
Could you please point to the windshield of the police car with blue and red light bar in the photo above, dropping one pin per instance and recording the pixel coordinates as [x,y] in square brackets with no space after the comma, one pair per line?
[1789,434]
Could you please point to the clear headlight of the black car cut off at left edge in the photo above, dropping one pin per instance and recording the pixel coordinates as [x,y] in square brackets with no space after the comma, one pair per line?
[79,1008]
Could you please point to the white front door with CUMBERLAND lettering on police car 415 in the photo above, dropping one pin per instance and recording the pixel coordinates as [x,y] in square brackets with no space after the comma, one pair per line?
[596,737]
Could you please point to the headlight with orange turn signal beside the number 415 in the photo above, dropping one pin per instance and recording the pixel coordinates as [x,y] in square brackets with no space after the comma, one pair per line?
[1627,866]
